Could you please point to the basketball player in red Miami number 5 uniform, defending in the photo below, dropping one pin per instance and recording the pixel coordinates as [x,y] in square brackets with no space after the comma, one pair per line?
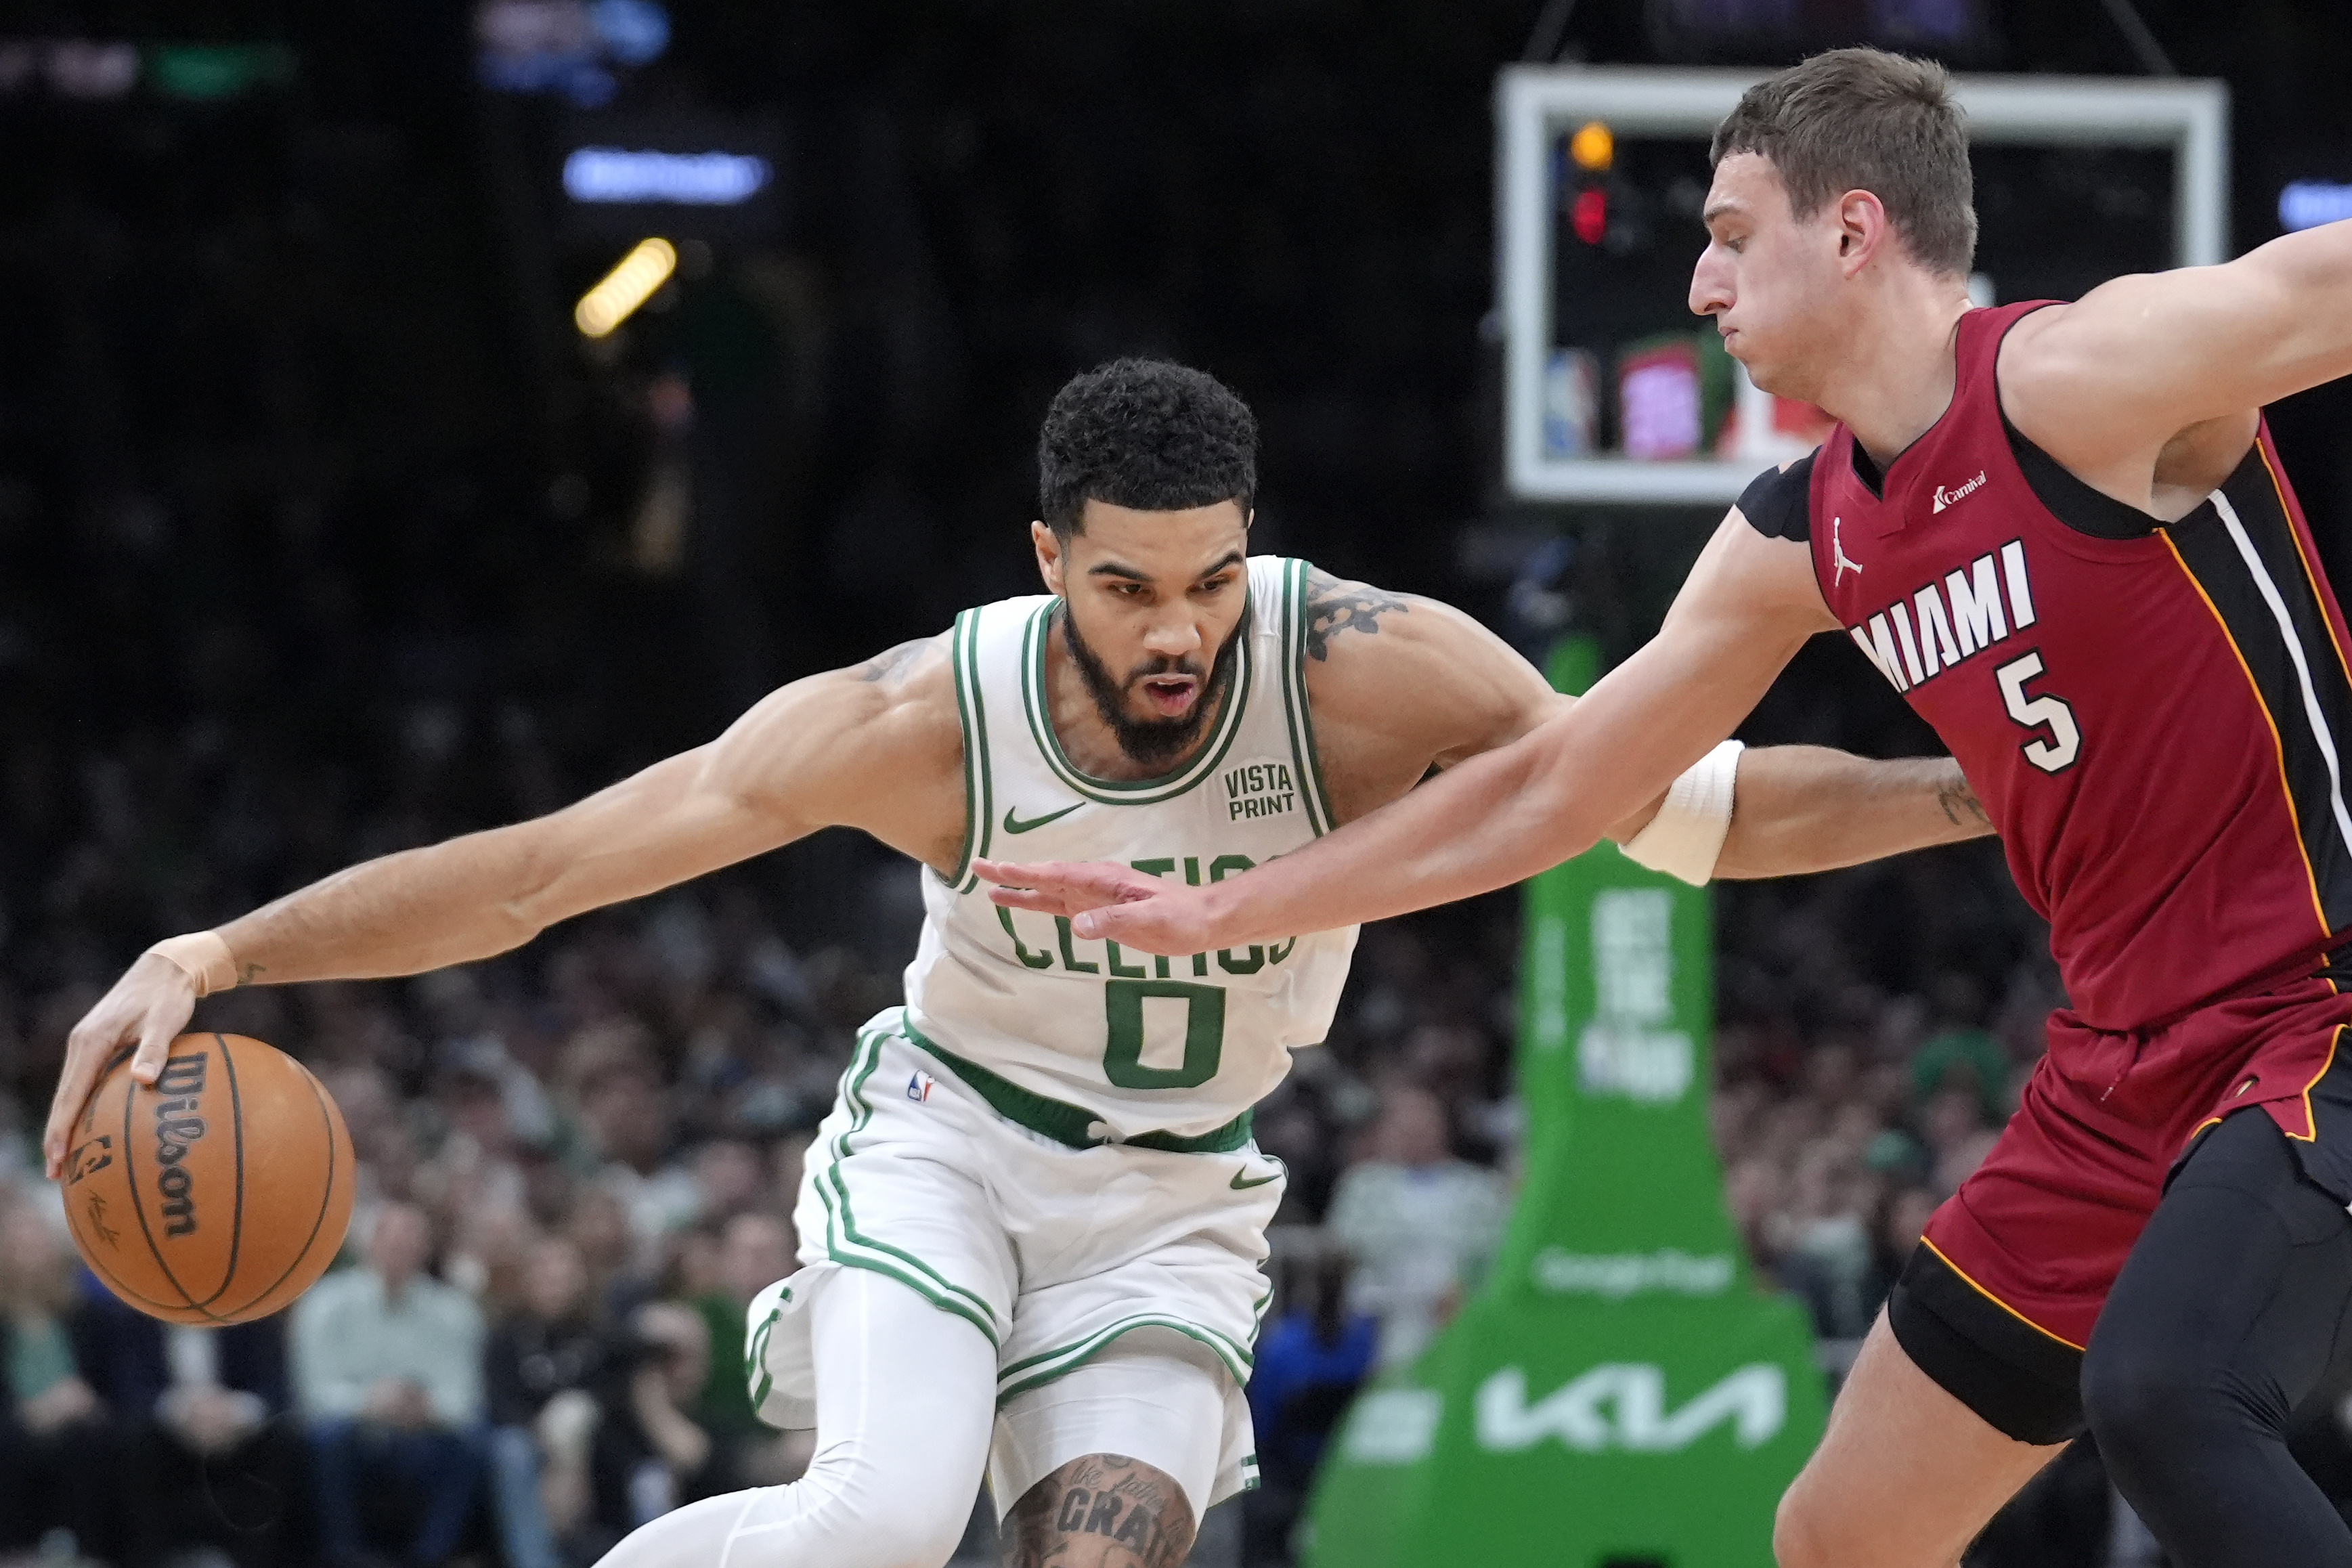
[2062,532]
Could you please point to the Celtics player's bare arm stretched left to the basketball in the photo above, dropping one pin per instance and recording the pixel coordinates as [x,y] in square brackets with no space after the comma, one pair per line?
[871,749]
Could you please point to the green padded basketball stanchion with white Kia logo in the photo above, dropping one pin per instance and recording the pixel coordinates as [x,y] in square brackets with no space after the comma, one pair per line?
[1619,1395]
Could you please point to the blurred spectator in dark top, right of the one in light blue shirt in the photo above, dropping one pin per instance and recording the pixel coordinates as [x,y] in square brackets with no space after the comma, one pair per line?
[549,1372]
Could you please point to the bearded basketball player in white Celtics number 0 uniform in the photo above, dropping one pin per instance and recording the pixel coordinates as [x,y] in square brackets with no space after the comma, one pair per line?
[1034,1224]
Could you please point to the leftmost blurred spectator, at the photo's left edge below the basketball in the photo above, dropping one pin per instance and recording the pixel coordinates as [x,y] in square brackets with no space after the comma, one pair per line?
[60,1463]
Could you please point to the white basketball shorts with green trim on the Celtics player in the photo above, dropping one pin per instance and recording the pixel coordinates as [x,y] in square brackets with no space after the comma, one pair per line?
[1048,1249]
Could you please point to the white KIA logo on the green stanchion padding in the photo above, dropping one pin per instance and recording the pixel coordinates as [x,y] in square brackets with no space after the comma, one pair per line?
[1624,1407]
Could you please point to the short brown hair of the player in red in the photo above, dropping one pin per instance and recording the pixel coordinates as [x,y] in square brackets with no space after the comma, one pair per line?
[1866,121]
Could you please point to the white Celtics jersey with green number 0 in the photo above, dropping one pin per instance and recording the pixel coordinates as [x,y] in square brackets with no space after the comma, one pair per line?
[1147,1045]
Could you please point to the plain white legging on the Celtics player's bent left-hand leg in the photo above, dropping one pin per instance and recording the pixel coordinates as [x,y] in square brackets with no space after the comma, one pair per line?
[904,1407]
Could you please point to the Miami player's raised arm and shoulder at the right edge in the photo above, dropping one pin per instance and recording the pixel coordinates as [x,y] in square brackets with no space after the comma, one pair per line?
[2134,377]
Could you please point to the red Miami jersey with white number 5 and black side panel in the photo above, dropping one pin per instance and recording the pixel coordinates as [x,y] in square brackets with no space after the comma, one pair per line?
[2153,716]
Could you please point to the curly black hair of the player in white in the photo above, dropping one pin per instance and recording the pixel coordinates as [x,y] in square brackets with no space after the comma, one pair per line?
[1149,436]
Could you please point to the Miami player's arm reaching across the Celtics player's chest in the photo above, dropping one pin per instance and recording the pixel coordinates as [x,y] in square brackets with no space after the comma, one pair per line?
[1518,810]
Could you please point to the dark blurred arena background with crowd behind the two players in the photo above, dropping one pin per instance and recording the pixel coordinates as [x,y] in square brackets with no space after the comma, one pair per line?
[368,476]
